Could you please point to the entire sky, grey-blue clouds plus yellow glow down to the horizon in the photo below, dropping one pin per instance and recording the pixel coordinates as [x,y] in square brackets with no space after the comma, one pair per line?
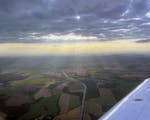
[70,23]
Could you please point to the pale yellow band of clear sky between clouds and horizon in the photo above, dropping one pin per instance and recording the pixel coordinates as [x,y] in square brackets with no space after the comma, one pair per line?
[69,48]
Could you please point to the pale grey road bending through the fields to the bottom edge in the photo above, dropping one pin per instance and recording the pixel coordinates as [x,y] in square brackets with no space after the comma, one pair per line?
[84,95]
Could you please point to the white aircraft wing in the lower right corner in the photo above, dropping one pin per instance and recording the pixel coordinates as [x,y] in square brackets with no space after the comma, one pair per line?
[135,106]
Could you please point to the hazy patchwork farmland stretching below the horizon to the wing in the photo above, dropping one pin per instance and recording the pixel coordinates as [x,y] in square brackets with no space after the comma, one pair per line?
[66,87]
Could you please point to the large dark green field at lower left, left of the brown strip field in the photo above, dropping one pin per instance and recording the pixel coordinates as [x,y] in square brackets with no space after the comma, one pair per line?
[46,106]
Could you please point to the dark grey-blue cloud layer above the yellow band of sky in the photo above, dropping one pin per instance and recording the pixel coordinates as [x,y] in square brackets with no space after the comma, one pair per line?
[105,19]
